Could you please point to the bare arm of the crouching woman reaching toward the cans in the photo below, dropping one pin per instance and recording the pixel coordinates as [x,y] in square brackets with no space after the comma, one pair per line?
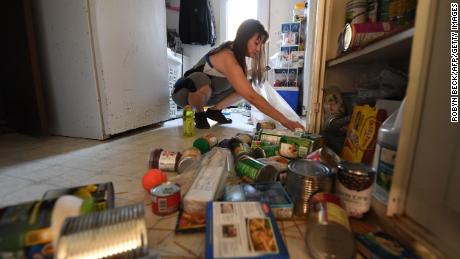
[225,62]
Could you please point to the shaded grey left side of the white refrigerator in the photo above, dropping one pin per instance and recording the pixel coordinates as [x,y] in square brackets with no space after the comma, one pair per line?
[64,37]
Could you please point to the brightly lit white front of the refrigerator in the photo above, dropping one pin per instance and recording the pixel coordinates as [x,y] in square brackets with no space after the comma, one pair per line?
[129,40]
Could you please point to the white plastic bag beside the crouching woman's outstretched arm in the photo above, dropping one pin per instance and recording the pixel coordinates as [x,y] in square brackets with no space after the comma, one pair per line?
[273,97]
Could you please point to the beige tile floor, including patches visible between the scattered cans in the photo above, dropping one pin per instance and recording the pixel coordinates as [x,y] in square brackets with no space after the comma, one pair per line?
[30,166]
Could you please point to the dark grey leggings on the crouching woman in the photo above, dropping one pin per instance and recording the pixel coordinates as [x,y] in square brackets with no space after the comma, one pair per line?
[220,88]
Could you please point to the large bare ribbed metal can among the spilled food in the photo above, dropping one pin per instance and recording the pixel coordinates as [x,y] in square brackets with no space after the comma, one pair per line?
[304,178]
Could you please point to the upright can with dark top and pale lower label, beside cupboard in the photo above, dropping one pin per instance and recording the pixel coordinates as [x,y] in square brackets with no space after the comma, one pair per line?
[354,187]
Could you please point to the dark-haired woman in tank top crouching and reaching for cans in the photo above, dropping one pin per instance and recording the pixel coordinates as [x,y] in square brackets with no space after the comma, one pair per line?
[219,79]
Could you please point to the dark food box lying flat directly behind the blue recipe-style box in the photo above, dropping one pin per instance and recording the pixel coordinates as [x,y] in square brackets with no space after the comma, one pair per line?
[271,193]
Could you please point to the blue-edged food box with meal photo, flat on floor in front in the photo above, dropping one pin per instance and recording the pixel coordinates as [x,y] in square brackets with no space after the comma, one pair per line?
[242,230]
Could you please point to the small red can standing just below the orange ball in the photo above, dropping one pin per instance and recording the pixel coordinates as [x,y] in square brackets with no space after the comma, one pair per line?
[165,198]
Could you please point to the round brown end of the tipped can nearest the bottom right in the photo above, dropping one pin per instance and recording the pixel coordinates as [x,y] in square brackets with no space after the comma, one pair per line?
[330,241]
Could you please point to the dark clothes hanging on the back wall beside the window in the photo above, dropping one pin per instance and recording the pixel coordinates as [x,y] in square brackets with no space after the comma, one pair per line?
[196,22]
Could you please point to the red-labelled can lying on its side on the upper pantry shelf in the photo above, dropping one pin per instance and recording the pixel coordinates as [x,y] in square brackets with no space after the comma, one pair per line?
[358,35]
